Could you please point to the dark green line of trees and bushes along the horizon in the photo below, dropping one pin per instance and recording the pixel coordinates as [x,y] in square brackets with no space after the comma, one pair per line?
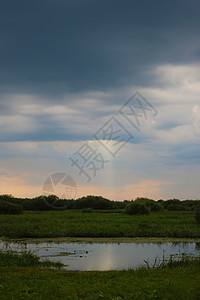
[12,205]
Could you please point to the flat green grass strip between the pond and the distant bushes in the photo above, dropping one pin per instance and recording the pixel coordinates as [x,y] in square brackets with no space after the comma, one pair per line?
[72,223]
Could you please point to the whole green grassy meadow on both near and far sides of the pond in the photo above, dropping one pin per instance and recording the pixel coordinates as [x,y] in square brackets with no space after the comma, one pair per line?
[26,278]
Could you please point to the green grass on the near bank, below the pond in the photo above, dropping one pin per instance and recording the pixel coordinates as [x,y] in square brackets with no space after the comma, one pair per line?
[176,282]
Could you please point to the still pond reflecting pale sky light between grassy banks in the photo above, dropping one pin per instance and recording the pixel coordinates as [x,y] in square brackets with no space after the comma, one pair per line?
[105,256]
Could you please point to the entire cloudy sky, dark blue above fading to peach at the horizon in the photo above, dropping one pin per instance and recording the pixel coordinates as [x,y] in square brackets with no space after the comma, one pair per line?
[100,98]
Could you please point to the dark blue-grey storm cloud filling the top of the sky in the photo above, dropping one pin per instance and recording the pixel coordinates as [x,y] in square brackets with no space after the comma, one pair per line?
[51,47]
